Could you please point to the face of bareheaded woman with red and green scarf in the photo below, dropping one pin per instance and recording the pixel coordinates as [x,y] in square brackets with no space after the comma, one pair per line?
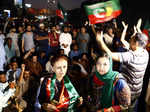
[60,67]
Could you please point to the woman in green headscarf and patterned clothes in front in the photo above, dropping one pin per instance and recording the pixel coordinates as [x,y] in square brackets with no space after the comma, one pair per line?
[108,93]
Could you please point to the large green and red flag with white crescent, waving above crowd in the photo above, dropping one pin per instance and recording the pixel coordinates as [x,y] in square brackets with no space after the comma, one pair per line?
[103,11]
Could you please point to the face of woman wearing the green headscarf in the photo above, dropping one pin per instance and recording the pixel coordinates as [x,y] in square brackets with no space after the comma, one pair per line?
[103,65]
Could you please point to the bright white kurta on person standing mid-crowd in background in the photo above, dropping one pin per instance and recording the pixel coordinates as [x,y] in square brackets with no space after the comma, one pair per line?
[65,38]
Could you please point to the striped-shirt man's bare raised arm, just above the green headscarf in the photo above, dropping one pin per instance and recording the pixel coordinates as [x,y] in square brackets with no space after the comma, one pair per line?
[99,38]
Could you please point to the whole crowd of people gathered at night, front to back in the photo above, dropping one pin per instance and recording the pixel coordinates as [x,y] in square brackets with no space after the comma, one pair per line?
[91,68]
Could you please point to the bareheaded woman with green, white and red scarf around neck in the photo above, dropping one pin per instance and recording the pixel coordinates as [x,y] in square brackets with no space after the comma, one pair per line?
[57,94]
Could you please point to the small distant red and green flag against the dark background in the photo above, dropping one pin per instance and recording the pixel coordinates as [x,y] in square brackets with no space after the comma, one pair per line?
[61,12]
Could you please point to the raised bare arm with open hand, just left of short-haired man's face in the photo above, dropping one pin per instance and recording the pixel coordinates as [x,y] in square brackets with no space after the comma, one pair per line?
[124,42]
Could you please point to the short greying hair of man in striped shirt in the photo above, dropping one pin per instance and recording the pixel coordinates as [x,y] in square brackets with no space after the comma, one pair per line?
[141,38]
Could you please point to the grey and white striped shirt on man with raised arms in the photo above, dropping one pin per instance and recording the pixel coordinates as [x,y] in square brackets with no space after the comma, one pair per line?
[133,68]
